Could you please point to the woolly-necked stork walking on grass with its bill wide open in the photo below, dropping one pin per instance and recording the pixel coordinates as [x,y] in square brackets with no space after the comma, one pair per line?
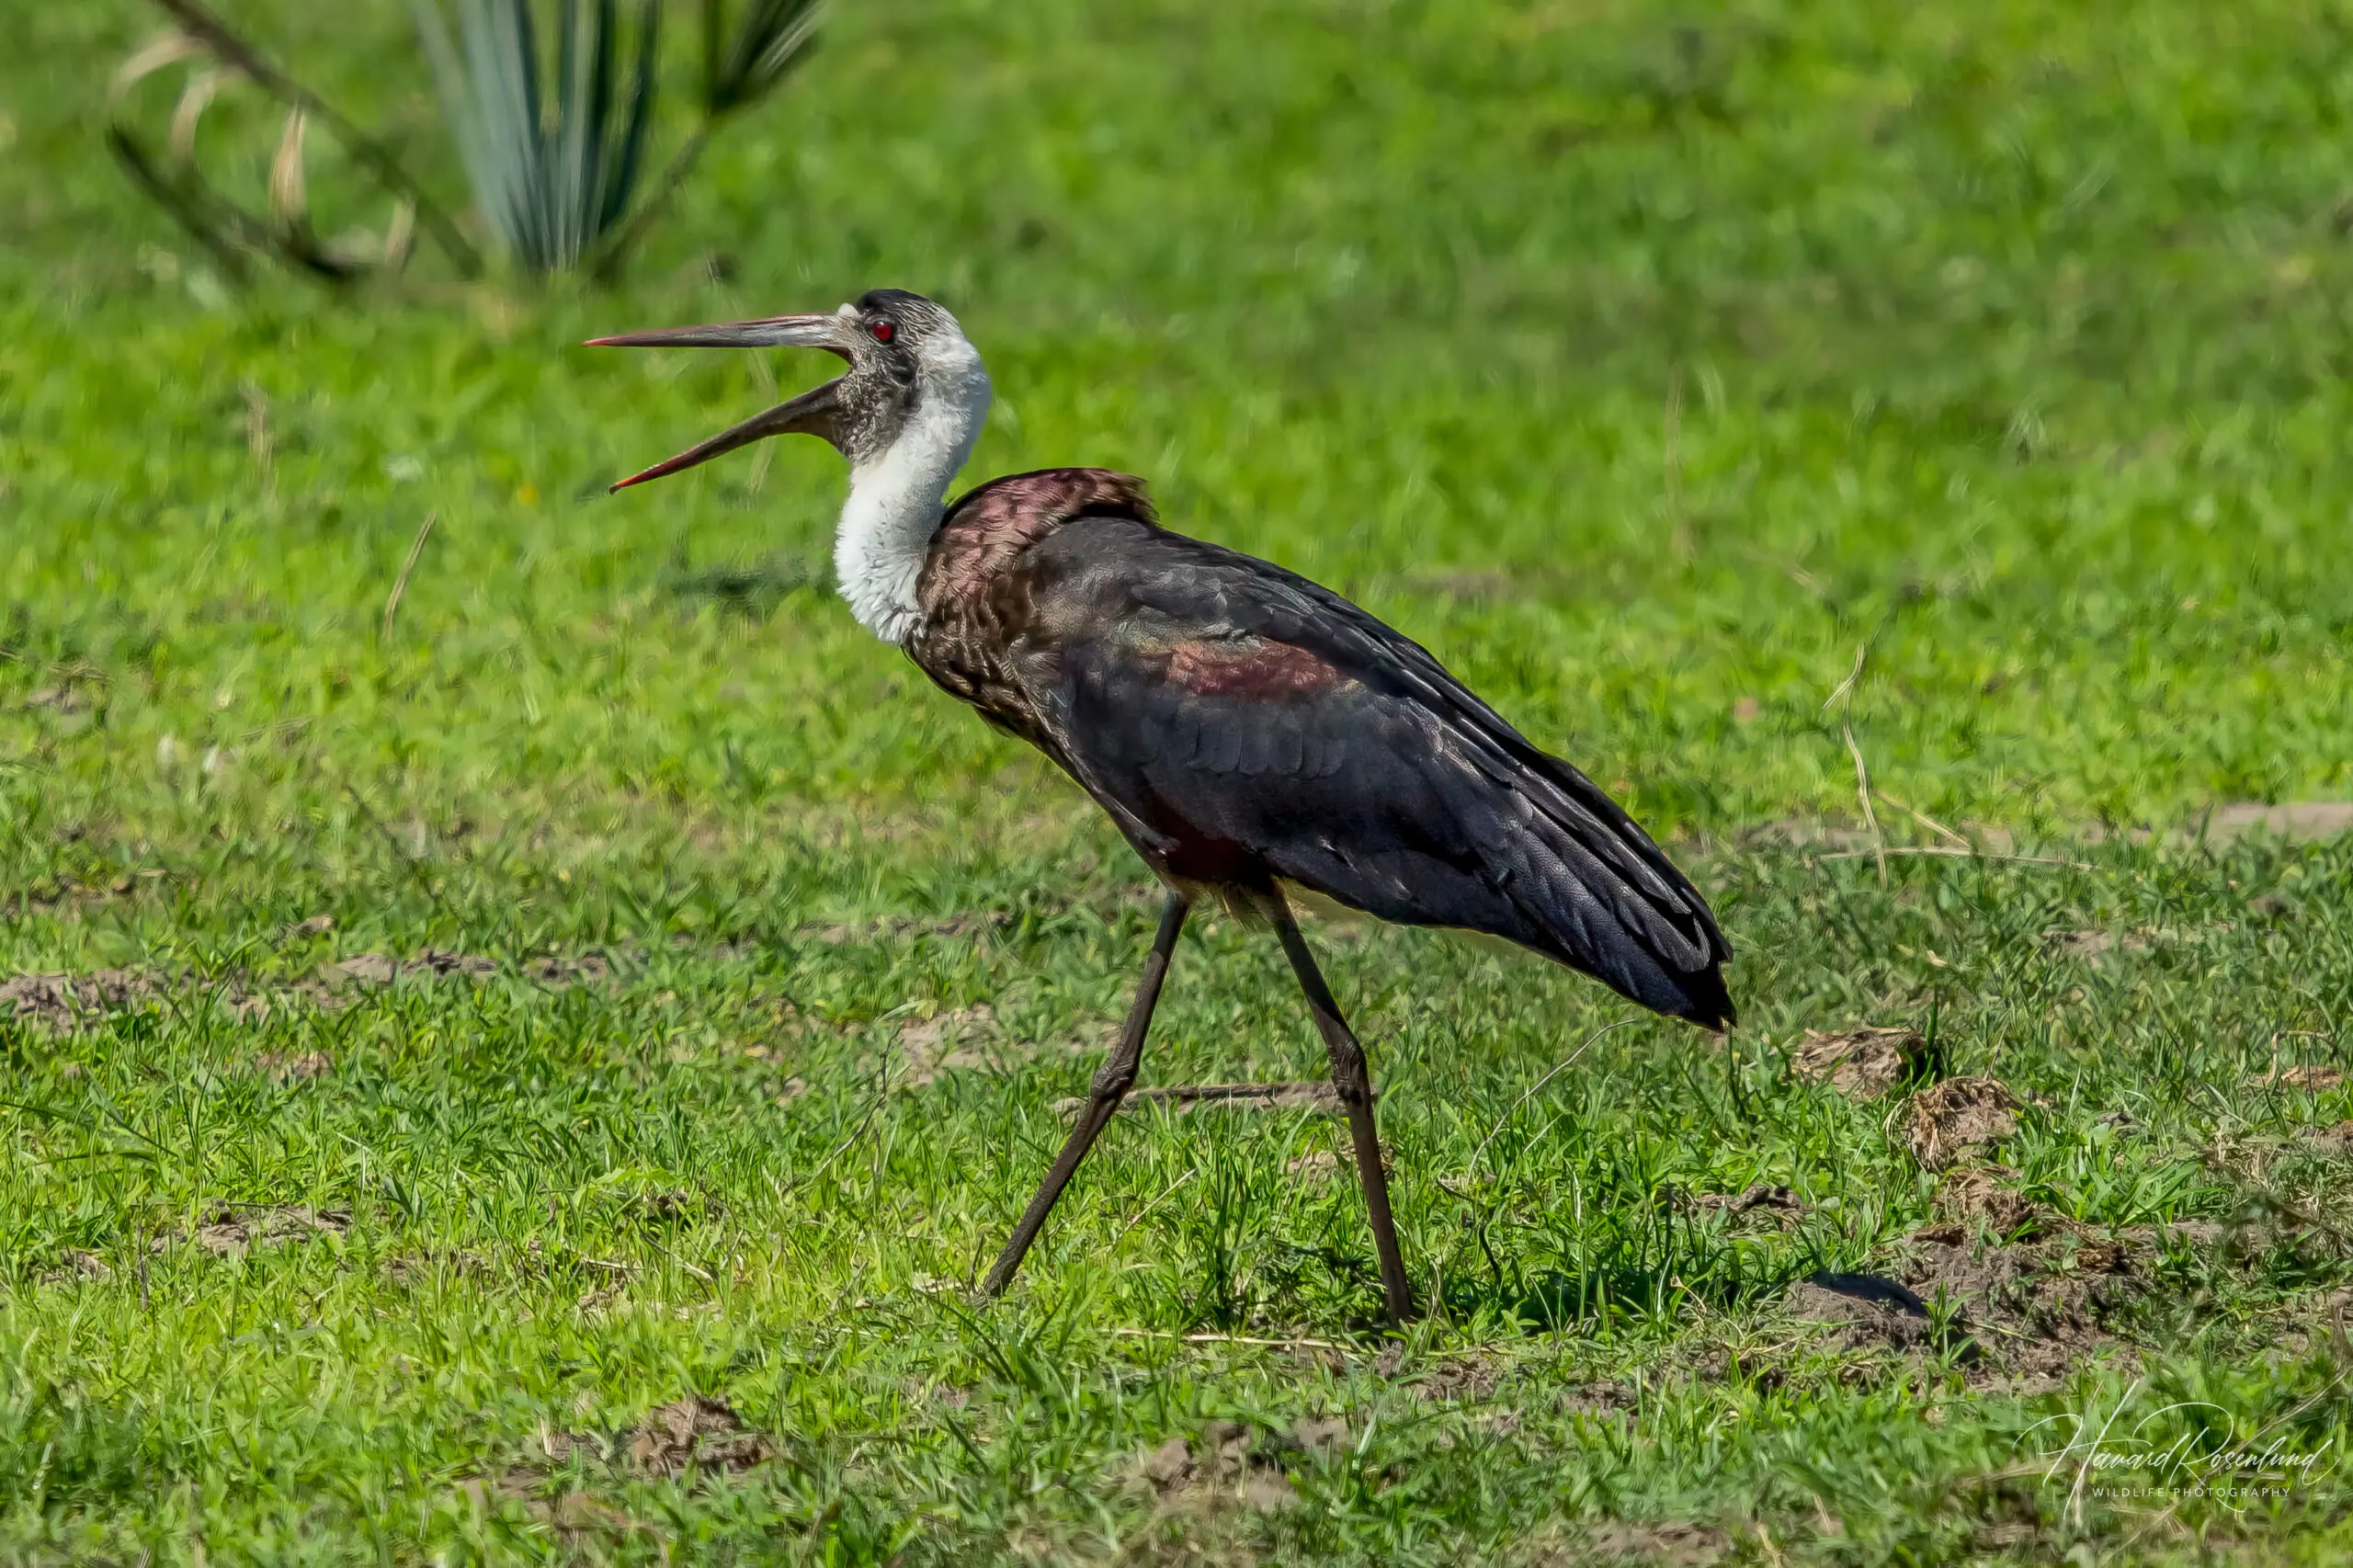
[1241,724]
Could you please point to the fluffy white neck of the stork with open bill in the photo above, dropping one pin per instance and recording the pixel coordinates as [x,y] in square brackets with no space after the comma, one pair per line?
[895,500]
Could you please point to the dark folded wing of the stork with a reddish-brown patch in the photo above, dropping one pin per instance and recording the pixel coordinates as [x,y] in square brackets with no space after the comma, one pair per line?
[1246,715]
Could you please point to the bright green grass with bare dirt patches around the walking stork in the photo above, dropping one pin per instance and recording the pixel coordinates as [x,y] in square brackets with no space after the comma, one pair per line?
[2004,343]
